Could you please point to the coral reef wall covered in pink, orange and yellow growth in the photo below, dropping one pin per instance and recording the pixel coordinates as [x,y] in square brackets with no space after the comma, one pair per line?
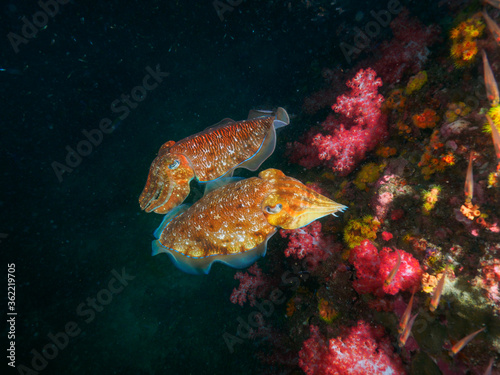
[419,243]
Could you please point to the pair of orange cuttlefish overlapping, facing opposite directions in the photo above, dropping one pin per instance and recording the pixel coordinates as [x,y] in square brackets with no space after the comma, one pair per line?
[235,218]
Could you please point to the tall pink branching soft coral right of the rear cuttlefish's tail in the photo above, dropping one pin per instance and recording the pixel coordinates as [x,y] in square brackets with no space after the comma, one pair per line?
[343,144]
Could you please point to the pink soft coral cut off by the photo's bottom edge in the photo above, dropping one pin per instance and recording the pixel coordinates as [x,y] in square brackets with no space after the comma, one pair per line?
[362,349]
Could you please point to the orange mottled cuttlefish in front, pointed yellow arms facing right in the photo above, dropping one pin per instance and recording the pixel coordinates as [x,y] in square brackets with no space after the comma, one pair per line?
[232,224]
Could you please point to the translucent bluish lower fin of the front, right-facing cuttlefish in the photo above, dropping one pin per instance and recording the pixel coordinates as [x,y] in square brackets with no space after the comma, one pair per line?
[202,265]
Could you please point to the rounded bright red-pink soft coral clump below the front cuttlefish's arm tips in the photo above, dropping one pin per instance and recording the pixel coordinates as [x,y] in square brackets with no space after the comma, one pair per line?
[373,269]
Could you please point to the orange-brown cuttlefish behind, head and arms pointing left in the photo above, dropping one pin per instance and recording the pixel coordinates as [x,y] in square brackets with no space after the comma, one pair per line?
[210,155]
